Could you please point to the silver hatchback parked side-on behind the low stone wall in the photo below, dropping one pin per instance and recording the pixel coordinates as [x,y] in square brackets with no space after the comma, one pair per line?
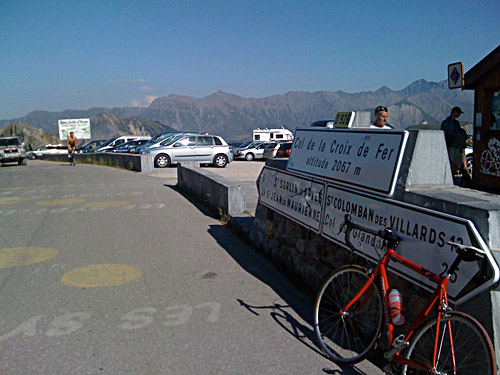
[210,149]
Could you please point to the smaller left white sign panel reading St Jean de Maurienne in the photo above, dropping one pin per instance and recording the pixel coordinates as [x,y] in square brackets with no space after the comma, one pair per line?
[297,198]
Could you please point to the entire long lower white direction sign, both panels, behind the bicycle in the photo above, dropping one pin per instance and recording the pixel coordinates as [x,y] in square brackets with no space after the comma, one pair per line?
[424,232]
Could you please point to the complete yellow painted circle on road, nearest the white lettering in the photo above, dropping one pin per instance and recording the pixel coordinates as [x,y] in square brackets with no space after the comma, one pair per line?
[101,275]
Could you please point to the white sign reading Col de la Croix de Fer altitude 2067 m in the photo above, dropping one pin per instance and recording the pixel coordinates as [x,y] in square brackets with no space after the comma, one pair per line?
[367,159]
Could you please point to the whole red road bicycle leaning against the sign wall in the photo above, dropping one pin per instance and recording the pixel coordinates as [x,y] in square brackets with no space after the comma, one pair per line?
[353,302]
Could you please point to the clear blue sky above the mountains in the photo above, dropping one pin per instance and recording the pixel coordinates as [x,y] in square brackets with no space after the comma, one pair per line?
[59,55]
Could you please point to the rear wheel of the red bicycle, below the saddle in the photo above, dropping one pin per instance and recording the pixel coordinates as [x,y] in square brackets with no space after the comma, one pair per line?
[463,347]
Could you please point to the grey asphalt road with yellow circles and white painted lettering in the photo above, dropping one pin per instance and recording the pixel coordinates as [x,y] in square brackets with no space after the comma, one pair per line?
[106,271]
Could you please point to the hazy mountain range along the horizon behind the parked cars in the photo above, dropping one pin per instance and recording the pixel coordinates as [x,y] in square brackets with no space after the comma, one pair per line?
[234,117]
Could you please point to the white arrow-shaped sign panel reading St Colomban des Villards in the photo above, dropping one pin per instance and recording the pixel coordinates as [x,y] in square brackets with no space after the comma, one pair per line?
[424,234]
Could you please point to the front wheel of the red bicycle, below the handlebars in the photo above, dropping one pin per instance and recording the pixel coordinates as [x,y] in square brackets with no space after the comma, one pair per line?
[348,337]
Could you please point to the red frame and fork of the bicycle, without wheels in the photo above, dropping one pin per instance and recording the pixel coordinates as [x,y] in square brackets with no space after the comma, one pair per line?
[439,294]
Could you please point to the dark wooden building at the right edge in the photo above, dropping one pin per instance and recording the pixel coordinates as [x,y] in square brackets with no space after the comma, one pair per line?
[484,79]
